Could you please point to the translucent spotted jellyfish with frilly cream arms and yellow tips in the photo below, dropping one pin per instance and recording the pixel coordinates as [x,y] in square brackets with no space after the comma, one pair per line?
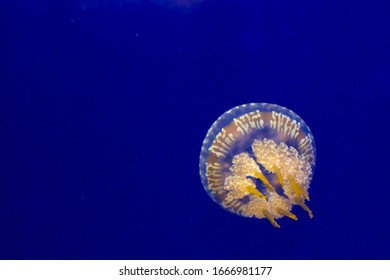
[257,160]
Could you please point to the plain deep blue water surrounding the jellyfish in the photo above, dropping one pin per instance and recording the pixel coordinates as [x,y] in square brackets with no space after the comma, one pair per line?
[105,104]
